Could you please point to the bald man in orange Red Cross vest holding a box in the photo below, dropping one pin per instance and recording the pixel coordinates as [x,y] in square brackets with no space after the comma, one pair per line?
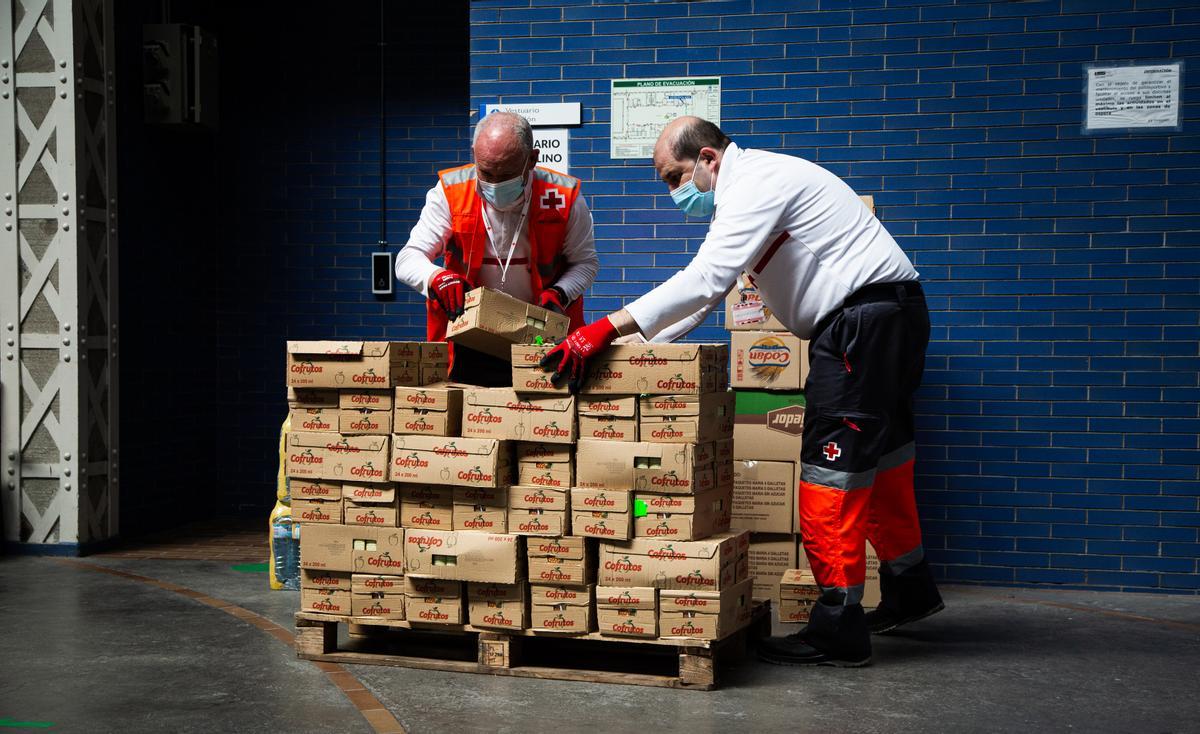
[506,224]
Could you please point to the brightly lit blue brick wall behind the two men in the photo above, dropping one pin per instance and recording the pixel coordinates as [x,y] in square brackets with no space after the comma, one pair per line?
[1059,418]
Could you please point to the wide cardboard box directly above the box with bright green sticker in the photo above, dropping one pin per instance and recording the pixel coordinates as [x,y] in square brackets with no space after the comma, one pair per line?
[676,468]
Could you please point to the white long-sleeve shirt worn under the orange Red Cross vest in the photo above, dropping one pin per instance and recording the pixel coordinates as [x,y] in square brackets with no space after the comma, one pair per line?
[427,243]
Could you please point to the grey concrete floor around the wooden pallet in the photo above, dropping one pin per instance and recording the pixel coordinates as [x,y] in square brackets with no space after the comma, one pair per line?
[91,652]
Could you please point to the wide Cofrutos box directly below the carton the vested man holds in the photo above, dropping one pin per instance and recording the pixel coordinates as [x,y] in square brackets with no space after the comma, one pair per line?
[501,413]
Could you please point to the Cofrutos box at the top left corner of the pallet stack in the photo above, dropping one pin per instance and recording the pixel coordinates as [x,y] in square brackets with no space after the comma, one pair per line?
[356,365]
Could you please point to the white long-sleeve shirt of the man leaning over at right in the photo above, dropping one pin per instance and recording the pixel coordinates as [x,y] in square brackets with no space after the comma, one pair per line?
[830,245]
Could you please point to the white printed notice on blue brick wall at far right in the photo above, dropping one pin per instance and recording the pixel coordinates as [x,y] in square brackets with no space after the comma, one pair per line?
[1129,98]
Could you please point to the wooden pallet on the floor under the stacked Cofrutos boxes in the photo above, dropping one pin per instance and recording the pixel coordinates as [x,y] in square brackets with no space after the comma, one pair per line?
[664,663]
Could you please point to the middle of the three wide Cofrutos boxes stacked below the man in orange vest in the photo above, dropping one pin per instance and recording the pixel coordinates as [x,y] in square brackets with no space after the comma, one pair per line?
[460,462]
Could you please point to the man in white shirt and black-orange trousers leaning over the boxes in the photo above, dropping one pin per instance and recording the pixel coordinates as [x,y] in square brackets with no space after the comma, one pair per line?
[832,274]
